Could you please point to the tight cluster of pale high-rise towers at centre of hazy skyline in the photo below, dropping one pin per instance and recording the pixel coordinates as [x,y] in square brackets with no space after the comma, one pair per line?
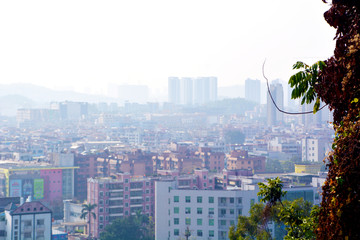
[192,91]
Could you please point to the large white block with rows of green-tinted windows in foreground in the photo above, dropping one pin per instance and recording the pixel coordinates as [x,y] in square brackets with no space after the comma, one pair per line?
[207,214]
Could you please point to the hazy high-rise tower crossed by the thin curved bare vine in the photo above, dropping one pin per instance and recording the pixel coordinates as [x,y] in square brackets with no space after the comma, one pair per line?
[275,117]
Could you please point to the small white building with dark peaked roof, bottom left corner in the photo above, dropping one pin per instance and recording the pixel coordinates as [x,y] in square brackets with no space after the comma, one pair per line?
[29,221]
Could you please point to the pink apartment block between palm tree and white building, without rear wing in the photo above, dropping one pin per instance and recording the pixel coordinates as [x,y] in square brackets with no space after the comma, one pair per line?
[121,197]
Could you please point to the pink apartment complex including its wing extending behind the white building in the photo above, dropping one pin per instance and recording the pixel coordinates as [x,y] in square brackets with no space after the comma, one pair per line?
[126,195]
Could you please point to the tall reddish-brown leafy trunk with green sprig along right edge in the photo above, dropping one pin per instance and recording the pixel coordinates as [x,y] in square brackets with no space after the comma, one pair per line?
[337,84]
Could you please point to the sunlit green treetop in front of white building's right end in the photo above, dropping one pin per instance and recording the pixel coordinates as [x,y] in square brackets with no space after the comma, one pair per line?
[299,217]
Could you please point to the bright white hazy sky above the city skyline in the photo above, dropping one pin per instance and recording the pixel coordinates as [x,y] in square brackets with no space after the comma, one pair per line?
[84,45]
